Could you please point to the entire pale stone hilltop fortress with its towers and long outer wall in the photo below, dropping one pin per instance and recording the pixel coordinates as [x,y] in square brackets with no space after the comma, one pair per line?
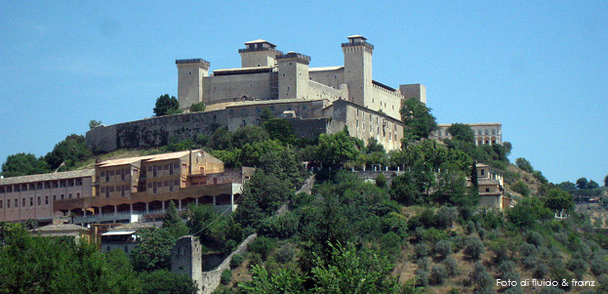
[315,100]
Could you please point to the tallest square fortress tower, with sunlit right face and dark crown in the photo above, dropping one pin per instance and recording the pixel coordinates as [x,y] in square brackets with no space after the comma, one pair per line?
[358,69]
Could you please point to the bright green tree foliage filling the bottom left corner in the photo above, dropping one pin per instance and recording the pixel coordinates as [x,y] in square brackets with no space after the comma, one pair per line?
[35,265]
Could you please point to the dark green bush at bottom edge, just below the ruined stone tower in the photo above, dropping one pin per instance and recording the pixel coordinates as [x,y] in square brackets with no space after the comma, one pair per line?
[166,282]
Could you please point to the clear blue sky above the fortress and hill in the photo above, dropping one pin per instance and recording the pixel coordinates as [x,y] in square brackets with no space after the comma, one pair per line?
[540,69]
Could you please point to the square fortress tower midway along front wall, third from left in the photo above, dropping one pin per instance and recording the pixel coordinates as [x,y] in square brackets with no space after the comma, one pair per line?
[293,75]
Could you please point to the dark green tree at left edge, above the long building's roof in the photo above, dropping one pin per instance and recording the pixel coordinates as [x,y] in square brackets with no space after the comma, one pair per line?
[22,164]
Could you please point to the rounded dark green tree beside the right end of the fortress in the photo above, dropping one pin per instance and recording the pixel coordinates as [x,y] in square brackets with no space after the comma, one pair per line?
[418,121]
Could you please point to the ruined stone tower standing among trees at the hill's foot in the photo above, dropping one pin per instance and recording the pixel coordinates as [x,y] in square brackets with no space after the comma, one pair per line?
[186,258]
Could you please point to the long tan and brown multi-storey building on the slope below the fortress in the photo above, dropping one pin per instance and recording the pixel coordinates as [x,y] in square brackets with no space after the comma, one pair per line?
[134,189]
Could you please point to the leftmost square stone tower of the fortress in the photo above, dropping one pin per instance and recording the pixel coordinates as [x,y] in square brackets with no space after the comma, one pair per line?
[190,73]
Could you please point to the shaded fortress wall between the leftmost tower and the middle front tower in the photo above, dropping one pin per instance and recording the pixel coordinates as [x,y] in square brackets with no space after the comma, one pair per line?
[224,88]
